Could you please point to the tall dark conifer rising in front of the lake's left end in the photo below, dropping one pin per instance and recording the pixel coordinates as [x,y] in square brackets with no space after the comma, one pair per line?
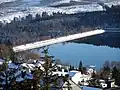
[44,77]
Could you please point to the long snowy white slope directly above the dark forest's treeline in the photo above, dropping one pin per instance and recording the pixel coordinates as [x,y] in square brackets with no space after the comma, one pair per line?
[38,10]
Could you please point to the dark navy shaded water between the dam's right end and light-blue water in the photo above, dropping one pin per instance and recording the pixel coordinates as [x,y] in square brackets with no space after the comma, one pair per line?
[106,39]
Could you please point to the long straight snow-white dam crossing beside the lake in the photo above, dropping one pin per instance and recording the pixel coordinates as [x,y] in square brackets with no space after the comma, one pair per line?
[39,44]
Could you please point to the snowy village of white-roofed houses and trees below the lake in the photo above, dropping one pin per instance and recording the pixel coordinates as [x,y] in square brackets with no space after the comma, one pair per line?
[49,75]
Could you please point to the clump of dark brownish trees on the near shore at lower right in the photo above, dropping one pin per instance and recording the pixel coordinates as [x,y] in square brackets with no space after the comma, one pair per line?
[109,71]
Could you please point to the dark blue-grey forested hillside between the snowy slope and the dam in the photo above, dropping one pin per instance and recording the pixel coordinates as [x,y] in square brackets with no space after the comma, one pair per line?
[43,27]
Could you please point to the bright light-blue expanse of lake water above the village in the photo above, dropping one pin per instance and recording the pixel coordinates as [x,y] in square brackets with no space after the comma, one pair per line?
[89,54]
